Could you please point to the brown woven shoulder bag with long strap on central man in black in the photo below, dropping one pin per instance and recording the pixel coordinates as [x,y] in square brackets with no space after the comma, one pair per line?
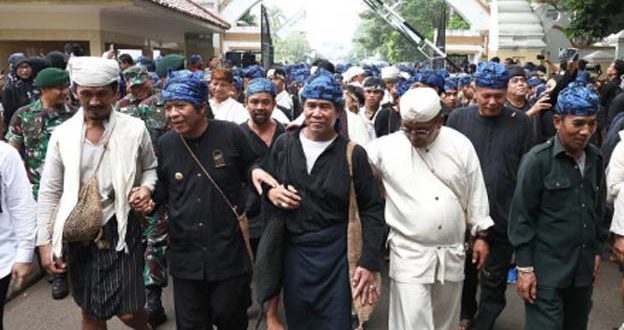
[354,244]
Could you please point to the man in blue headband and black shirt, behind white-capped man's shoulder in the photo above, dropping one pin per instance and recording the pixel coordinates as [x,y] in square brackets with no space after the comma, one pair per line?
[501,136]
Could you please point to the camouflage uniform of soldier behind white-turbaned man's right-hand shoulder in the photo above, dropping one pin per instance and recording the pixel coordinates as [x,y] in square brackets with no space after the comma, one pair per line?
[152,112]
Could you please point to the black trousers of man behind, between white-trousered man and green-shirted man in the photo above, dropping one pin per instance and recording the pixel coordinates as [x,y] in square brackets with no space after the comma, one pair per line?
[493,283]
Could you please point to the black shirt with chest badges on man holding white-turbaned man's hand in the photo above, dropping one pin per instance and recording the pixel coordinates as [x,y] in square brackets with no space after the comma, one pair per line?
[205,242]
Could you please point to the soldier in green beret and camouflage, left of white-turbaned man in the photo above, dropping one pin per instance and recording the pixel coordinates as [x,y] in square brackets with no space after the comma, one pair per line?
[30,131]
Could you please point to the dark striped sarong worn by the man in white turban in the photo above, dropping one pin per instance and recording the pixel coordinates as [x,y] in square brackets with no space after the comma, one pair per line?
[105,282]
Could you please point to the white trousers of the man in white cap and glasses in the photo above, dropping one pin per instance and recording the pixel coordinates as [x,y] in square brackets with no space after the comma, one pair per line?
[415,306]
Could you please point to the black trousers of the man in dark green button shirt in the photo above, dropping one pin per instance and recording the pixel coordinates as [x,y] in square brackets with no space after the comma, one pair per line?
[559,309]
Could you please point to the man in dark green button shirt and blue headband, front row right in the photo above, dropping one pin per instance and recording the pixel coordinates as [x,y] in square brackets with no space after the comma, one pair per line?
[556,219]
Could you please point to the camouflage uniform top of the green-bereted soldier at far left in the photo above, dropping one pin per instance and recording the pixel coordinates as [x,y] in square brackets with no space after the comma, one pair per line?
[31,127]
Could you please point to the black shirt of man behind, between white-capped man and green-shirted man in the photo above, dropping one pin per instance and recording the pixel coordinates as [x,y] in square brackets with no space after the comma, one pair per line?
[500,143]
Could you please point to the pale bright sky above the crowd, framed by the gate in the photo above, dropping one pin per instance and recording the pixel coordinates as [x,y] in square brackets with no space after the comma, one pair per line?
[328,23]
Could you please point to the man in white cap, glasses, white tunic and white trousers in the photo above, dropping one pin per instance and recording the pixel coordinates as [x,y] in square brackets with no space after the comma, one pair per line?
[434,190]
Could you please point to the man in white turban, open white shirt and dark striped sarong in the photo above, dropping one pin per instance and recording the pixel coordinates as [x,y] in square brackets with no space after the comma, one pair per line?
[98,142]
